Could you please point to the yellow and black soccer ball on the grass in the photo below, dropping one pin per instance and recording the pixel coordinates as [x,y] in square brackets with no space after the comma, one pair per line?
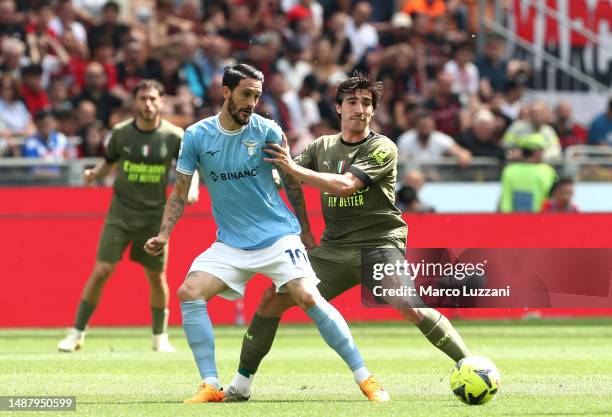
[475,380]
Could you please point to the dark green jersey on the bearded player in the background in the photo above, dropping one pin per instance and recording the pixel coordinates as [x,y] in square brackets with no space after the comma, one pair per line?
[143,163]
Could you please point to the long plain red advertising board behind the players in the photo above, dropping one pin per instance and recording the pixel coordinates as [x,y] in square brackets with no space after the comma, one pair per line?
[50,236]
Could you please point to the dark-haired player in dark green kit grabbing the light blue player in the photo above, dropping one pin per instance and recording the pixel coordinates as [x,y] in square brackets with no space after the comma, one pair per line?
[355,171]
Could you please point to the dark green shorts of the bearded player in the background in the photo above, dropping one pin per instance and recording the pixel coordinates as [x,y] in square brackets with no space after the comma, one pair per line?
[119,233]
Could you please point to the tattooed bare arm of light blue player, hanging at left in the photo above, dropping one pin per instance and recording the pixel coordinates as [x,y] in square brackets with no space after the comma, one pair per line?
[172,214]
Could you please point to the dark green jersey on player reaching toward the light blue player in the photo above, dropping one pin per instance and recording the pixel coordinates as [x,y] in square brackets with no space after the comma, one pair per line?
[368,218]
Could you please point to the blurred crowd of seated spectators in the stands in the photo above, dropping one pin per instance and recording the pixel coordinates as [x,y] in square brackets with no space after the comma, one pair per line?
[68,66]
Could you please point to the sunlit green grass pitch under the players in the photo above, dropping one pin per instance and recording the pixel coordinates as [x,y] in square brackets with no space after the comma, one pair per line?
[548,368]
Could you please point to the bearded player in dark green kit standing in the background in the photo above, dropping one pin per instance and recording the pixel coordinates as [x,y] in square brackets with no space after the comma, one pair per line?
[142,148]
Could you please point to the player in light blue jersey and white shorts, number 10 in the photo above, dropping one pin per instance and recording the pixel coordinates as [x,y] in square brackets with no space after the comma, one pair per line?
[256,233]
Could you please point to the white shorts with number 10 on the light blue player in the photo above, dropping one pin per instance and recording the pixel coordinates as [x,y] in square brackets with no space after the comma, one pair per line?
[284,261]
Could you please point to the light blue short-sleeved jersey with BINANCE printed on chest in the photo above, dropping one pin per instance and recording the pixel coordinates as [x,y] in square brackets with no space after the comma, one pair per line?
[248,210]
